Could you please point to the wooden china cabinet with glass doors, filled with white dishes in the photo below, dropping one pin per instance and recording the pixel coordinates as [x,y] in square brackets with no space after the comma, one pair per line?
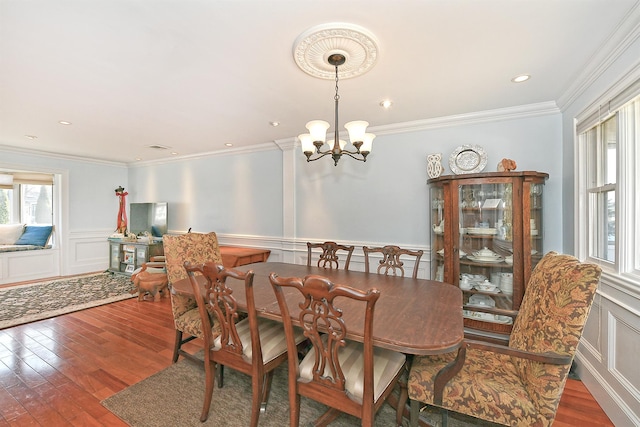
[487,236]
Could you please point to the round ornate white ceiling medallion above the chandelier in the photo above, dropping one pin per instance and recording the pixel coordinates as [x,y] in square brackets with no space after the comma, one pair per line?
[313,48]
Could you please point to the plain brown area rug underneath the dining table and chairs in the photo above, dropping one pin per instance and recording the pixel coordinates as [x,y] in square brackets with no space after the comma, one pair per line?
[173,397]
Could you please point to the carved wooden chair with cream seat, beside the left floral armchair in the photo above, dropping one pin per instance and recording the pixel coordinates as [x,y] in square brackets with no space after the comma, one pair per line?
[254,346]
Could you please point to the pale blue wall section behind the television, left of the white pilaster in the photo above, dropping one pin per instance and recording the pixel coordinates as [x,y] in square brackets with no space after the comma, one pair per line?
[226,193]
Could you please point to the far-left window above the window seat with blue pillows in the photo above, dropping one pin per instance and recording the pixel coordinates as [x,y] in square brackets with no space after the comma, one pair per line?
[26,198]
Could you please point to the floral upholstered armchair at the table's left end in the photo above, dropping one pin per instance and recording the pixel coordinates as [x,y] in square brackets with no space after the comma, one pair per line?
[178,249]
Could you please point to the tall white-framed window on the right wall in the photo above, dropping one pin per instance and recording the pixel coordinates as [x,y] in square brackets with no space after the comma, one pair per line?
[609,154]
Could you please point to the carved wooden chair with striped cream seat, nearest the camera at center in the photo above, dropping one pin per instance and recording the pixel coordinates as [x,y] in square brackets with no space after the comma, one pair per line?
[347,376]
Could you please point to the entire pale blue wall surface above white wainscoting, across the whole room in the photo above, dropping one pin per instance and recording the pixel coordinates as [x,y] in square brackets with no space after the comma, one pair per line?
[383,200]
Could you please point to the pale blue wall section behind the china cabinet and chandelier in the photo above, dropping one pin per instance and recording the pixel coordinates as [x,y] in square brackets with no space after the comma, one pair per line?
[386,199]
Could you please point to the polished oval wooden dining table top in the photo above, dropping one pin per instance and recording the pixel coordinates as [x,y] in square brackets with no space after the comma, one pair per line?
[413,316]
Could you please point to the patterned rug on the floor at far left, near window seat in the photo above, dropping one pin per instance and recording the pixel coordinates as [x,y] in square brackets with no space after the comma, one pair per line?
[36,301]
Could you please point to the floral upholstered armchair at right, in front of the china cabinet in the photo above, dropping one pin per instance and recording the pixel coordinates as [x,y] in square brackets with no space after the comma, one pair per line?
[519,384]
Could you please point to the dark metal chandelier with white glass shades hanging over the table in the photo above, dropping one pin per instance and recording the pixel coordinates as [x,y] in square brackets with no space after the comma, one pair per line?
[317,135]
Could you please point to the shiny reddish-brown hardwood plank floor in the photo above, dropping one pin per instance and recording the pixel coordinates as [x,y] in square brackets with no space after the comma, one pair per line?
[55,372]
